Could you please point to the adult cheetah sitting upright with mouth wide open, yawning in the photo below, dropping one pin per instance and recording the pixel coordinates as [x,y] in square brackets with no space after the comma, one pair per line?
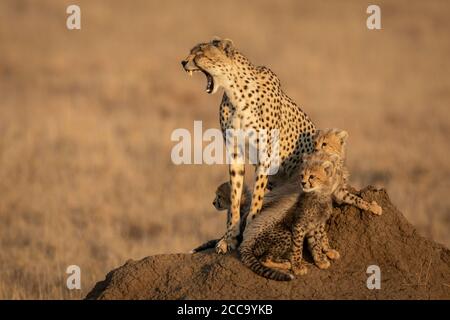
[252,101]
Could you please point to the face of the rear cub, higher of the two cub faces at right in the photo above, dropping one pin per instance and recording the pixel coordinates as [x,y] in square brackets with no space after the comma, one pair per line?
[331,141]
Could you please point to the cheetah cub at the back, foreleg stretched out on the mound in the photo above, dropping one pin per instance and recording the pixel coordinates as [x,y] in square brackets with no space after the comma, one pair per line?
[333,142]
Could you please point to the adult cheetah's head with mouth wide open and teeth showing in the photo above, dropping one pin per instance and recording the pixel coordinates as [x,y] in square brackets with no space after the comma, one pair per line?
[213,59]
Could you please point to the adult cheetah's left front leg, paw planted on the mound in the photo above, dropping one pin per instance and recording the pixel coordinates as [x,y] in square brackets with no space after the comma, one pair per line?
[229,240]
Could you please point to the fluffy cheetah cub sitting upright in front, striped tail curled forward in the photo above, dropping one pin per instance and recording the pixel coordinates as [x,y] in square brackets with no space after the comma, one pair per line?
[273,242]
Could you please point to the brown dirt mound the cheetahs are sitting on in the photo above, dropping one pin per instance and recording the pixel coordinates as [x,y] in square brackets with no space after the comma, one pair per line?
[411,266]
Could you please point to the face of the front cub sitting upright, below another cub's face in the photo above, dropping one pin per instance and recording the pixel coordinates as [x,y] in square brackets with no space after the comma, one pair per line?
[316,176]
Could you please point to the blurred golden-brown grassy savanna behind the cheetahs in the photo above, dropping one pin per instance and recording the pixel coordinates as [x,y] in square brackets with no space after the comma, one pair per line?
[86,117]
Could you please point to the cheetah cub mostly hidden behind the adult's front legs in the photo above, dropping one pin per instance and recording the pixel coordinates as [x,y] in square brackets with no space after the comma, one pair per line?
[222,201]
